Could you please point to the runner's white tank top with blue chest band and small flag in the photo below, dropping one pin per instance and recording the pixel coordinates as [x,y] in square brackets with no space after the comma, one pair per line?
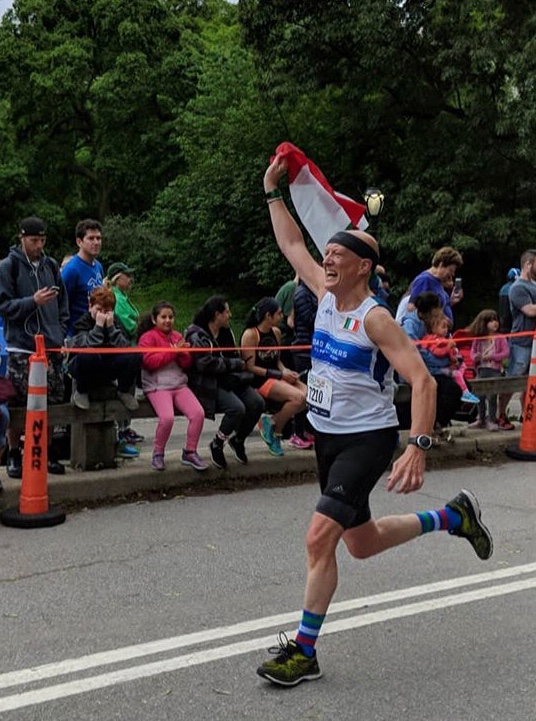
[350,387]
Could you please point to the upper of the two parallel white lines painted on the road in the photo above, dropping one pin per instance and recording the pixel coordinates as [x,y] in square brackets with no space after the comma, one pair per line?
[104,658]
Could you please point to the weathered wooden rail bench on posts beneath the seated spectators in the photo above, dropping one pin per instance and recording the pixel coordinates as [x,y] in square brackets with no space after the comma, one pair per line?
[94,435]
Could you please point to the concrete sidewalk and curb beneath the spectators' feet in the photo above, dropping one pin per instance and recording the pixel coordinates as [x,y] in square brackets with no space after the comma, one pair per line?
[135,478]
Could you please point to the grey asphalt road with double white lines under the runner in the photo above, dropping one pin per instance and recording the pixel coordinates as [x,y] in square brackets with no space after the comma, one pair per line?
[163,611]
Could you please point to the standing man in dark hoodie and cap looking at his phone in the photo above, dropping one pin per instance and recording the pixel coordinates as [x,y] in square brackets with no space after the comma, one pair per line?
[33,301]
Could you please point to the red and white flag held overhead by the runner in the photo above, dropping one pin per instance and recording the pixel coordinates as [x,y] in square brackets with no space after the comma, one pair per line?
[321,209]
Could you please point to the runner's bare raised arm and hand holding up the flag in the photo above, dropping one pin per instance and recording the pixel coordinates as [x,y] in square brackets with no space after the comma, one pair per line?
[288,235]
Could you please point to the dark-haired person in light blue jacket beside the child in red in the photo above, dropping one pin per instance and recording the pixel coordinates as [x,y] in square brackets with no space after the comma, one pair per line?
[448,392]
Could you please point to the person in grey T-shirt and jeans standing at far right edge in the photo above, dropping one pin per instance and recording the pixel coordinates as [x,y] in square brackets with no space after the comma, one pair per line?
[522,296]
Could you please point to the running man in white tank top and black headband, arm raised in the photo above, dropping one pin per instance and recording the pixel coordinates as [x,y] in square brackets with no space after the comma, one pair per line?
[350,399]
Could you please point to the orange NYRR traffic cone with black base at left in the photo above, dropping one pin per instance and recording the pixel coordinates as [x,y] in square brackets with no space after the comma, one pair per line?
[34,510]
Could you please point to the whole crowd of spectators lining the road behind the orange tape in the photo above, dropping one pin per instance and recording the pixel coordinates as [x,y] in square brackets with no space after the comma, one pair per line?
[259,381]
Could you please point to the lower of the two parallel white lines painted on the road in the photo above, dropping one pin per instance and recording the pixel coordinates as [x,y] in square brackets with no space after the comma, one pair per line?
[71,688]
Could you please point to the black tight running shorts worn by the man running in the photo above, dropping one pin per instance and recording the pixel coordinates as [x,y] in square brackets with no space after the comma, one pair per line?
[349,466]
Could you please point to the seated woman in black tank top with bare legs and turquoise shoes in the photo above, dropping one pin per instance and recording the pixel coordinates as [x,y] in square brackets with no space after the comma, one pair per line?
[273,380]
